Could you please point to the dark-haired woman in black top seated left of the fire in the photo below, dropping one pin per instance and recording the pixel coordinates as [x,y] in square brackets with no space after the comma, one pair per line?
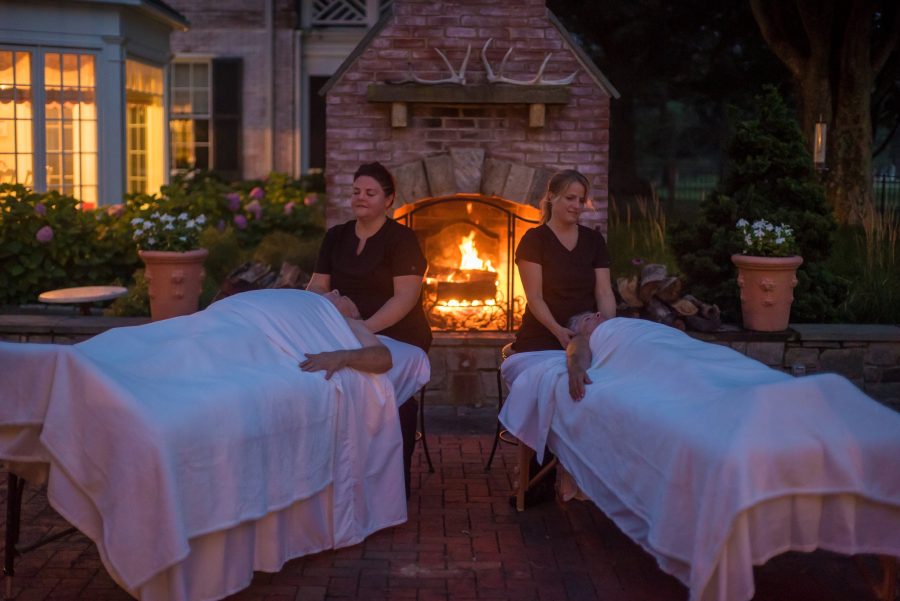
[379,265]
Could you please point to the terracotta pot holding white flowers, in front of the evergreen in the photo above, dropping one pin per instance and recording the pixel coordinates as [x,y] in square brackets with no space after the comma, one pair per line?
[767,290]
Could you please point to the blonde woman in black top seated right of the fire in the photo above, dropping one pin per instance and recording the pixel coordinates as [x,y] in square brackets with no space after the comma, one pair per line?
[564,267]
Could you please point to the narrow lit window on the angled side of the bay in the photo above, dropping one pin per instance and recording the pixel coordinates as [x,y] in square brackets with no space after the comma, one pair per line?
[144,127]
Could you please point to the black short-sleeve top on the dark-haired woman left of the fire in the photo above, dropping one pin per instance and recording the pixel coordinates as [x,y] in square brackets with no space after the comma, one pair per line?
[368,278]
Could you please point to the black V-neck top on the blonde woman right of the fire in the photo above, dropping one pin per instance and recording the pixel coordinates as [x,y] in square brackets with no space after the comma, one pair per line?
[567,281]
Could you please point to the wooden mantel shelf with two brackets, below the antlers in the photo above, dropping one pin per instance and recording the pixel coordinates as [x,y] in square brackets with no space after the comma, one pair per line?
[399,95]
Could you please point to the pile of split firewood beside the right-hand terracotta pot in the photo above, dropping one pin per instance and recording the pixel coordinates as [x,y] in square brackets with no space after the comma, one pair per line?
[656,296]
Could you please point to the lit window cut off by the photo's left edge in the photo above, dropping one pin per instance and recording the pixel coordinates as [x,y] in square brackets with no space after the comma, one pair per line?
[16,151]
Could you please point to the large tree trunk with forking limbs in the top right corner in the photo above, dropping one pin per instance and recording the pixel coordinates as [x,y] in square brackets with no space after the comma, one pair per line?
[835,51]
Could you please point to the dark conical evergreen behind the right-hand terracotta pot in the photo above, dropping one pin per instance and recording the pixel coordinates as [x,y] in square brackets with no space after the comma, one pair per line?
[771,177]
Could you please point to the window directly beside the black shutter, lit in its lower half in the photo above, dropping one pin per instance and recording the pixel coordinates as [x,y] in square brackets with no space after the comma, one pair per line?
[190,109]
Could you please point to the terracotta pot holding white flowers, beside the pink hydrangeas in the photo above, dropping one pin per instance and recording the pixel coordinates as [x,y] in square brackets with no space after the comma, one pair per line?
[174,280]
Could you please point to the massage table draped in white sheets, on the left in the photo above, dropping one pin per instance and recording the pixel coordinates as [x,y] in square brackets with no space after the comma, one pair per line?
[194,450]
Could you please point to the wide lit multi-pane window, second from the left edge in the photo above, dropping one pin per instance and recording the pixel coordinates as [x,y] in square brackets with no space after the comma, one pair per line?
[71,125]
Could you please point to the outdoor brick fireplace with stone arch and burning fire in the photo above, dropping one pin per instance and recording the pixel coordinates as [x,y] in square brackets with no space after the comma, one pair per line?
[472,156]
